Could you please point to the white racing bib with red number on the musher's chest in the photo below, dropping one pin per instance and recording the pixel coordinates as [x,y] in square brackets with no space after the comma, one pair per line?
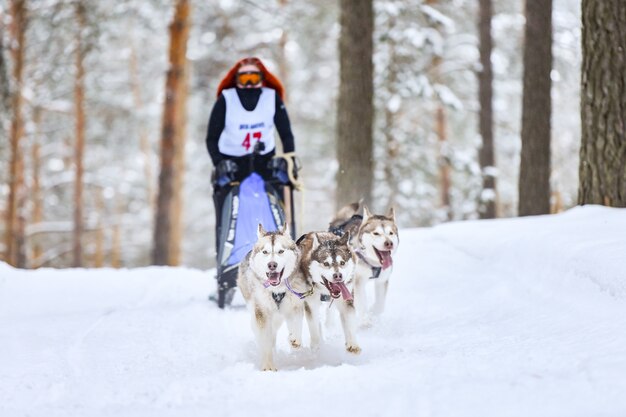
[243,128]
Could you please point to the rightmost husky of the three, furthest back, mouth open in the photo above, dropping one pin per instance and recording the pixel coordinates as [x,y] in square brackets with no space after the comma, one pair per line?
[375,241]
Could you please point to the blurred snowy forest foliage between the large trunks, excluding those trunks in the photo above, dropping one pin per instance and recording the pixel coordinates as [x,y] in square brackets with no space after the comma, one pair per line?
[115,54]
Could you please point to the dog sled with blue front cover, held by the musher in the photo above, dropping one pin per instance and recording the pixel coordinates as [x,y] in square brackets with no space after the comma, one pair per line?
[247,203]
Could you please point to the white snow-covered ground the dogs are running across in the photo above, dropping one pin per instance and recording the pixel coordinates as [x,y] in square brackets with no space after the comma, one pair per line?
[517,317]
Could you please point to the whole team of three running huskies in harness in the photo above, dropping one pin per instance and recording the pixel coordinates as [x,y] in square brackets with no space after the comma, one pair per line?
[282,280]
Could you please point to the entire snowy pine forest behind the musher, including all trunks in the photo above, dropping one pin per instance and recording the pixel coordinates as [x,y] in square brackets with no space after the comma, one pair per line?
[471,109]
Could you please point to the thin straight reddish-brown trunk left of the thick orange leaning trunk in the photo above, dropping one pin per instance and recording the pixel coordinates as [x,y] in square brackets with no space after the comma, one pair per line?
[79,102]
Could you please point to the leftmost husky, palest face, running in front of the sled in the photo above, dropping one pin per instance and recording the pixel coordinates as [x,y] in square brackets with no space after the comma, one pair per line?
[265,279]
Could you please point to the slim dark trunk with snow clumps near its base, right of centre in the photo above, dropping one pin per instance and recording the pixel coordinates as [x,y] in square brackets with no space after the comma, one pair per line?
[485,96]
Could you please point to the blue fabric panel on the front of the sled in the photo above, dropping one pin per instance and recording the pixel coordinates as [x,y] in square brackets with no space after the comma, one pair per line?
[254,208]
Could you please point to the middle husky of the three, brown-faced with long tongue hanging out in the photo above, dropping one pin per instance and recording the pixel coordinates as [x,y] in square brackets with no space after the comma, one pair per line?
[327,265]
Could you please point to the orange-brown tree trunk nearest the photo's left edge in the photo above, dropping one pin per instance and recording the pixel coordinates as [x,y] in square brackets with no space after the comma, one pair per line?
[16,166]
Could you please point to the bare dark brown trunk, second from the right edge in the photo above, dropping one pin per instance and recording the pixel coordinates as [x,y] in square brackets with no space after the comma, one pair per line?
[534,178]
